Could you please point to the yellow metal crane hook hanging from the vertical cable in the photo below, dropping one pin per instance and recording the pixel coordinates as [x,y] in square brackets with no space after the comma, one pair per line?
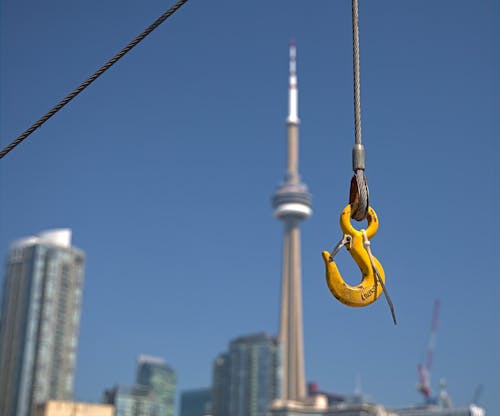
[356,241]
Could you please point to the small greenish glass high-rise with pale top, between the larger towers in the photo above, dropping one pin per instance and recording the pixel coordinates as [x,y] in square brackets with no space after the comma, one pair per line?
[155,374]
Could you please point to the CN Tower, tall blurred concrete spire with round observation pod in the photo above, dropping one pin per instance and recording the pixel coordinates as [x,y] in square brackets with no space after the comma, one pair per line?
[292,204]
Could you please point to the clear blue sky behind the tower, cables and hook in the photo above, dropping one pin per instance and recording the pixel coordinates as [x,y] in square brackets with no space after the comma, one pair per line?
[165,166]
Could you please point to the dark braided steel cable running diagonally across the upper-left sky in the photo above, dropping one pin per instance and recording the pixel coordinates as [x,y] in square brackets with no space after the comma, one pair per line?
[93,77]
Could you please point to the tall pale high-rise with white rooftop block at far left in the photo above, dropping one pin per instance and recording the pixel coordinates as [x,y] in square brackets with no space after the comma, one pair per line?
[39,321]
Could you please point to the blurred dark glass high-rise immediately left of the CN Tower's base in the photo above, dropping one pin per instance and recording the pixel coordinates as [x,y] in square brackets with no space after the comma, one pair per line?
[246,379]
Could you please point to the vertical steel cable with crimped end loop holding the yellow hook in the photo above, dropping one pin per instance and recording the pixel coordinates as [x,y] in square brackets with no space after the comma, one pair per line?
[358,193]
